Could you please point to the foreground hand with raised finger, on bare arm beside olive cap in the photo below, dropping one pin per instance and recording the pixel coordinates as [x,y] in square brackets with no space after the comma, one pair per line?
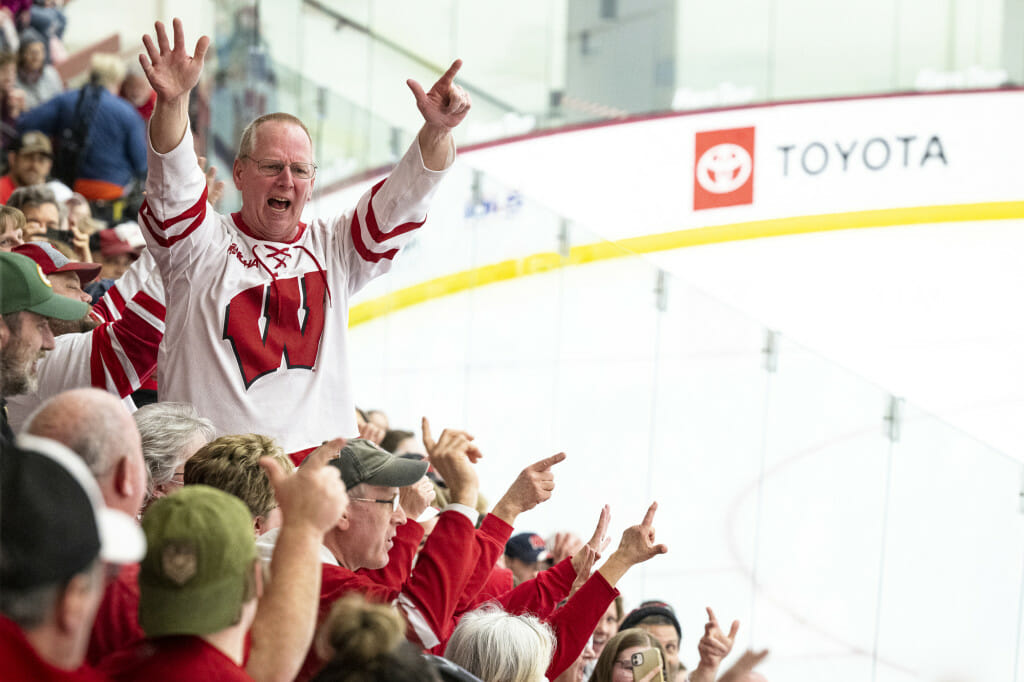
[315,495]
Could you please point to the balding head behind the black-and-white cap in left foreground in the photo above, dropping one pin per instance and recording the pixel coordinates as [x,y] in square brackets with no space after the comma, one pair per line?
[100,430]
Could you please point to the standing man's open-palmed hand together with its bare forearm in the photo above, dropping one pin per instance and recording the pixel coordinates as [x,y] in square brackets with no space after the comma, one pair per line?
[173,74]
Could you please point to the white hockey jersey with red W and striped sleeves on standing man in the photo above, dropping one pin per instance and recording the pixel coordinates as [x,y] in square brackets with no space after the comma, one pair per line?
[257,331]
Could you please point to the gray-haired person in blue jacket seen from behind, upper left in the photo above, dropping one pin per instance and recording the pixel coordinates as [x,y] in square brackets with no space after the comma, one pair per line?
[102,138]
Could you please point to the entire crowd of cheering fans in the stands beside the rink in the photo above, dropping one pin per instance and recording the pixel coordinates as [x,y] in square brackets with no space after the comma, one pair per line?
[146,539]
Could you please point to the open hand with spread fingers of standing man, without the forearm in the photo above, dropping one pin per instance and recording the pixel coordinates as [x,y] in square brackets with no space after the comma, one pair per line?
[173,72]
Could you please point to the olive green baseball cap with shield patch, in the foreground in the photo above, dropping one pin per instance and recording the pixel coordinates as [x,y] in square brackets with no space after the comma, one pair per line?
[199,563]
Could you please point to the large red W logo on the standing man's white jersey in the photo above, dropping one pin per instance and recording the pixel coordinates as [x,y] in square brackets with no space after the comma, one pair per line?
[284,334]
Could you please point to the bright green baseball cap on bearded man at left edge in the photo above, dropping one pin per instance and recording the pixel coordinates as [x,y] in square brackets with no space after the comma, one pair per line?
[24,287]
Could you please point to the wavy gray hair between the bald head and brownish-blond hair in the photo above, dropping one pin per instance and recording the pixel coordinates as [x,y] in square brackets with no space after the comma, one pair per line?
[166,429]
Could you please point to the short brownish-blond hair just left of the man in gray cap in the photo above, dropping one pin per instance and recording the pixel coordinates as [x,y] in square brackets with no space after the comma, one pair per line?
[232,464]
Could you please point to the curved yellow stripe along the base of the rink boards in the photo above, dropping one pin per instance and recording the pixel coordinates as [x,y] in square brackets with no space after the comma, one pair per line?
[680,239]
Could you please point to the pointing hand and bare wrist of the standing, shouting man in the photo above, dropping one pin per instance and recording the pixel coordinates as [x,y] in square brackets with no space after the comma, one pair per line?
[444,107]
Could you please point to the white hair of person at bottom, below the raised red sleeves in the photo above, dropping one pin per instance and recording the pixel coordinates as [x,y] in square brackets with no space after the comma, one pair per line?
[501,648]
